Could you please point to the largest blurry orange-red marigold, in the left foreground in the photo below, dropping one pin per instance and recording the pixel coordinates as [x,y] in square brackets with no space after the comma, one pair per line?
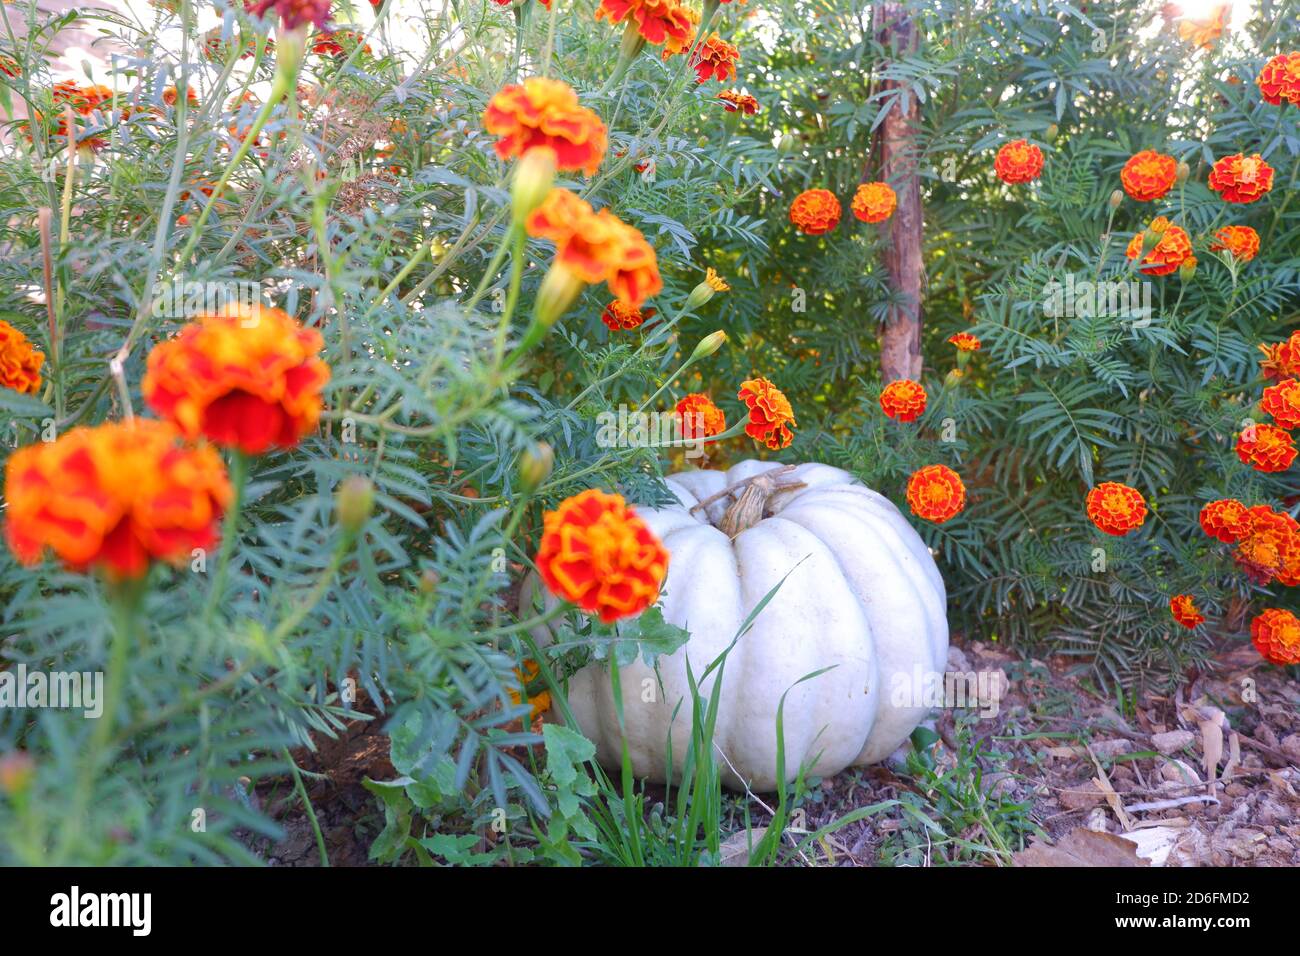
[115,498]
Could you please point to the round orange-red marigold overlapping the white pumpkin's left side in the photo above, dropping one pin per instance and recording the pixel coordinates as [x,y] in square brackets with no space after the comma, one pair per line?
[600,556]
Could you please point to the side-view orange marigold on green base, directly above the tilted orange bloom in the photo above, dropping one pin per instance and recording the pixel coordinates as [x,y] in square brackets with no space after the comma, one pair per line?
[543,113]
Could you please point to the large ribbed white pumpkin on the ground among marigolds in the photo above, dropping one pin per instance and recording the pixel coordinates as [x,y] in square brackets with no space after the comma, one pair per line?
[865,596]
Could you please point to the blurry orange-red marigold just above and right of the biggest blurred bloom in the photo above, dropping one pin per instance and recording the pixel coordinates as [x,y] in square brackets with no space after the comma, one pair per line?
[248,378]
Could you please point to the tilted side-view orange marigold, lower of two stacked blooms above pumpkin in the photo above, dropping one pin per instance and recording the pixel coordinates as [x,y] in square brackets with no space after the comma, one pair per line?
[597,246]
